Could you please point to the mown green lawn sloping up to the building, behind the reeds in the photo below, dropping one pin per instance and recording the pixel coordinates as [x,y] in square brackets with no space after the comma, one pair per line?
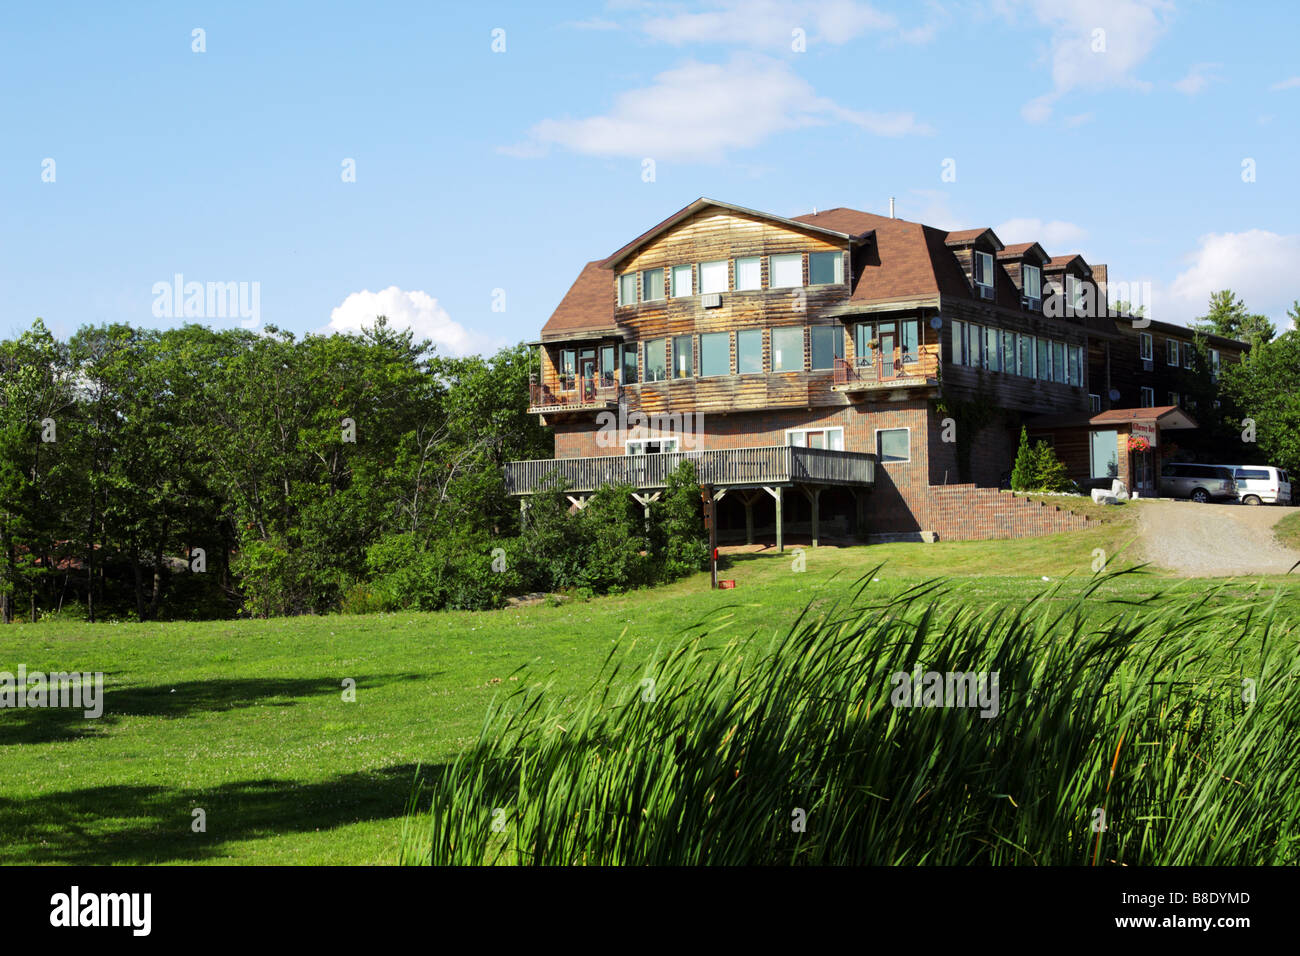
[248,720]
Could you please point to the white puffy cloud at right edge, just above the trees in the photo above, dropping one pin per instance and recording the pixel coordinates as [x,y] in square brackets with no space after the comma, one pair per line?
[1258,265]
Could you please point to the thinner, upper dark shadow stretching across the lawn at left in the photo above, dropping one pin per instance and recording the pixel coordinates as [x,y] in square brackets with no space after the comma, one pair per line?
[54,725]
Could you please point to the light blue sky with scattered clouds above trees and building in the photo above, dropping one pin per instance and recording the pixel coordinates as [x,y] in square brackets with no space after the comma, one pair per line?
[480,171]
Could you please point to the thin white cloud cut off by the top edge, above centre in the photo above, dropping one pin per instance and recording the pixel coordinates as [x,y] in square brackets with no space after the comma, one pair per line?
[772,24]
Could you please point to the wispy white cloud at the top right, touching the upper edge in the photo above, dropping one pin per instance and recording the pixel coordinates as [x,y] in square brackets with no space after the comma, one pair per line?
[1094,45]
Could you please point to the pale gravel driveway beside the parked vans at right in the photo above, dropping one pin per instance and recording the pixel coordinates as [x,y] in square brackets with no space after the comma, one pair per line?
[1215,540]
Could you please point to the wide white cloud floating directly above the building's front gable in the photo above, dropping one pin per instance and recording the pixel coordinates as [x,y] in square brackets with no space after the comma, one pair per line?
[699,113]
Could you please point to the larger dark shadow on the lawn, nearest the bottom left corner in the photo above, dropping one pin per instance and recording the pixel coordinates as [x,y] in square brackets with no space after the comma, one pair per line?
[153,825]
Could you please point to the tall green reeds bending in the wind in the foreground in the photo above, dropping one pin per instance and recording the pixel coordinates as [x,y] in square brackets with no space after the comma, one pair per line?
[799,752]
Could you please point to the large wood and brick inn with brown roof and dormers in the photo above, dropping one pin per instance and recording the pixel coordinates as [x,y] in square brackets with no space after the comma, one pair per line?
[839,373]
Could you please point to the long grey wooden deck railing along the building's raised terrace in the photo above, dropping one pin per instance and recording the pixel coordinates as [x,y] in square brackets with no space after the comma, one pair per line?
[772,465]
